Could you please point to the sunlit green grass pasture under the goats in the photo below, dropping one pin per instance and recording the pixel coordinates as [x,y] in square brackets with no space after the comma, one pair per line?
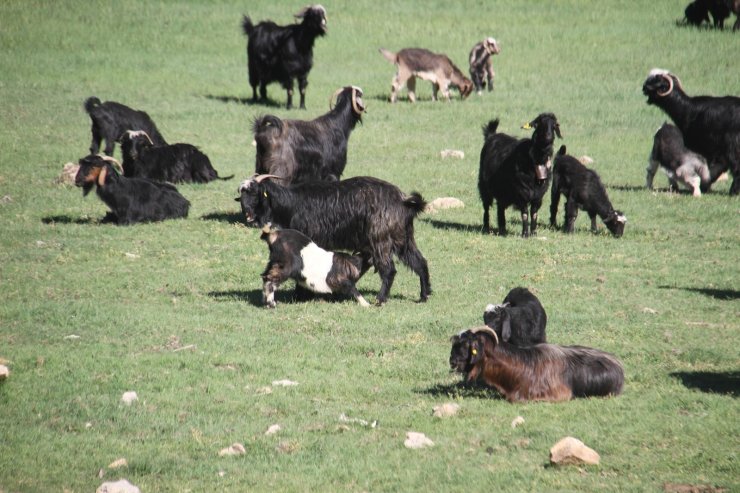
[172,310]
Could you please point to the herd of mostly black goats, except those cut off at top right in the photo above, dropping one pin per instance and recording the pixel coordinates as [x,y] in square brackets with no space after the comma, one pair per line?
[310,217]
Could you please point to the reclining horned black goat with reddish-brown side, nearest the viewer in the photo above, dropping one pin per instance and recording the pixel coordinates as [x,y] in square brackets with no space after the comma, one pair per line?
[544,372]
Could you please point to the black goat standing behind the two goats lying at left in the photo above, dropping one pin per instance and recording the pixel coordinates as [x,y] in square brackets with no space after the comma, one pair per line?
[110,120]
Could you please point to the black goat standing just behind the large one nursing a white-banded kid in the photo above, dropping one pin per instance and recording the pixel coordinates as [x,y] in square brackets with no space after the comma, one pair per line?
[297,150]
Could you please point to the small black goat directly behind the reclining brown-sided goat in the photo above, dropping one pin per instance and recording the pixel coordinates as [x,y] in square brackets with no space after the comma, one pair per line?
[520,320]
